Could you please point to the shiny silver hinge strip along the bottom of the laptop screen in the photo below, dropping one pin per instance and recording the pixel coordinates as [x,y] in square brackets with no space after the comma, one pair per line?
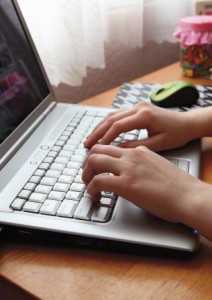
[26,135]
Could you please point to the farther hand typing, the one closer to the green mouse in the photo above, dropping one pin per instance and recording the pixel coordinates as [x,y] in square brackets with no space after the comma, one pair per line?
[166,129]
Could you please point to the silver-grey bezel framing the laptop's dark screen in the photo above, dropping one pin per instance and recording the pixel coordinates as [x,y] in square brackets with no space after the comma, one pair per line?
[18,136]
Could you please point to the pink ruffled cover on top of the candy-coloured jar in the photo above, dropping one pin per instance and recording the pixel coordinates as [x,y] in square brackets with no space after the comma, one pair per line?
[195,30]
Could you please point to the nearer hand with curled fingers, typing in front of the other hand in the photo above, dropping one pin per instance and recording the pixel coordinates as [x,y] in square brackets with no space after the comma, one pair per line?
[144,178]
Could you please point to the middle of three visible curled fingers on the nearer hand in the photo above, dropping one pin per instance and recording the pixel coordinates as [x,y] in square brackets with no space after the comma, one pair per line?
[100,163]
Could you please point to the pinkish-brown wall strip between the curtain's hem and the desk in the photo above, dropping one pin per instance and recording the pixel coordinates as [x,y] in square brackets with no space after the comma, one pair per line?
[122,65]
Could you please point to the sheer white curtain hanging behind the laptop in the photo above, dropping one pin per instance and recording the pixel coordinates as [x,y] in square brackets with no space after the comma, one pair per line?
[70,34]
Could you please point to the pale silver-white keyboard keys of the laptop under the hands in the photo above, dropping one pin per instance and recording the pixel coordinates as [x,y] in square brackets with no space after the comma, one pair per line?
[56,187]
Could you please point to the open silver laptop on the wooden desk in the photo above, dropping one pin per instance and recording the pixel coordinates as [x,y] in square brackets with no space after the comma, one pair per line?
[41,154]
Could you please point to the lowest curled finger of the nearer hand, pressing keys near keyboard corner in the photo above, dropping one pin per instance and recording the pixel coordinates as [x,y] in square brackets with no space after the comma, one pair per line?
[104,183]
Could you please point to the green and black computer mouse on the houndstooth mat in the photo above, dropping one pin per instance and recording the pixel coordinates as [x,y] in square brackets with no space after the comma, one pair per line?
[176,93]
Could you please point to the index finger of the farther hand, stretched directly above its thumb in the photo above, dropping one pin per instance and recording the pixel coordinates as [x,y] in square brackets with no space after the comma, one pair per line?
[123,125]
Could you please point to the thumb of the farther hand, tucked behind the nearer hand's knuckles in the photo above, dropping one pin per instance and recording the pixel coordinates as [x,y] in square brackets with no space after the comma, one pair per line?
[154,143]
